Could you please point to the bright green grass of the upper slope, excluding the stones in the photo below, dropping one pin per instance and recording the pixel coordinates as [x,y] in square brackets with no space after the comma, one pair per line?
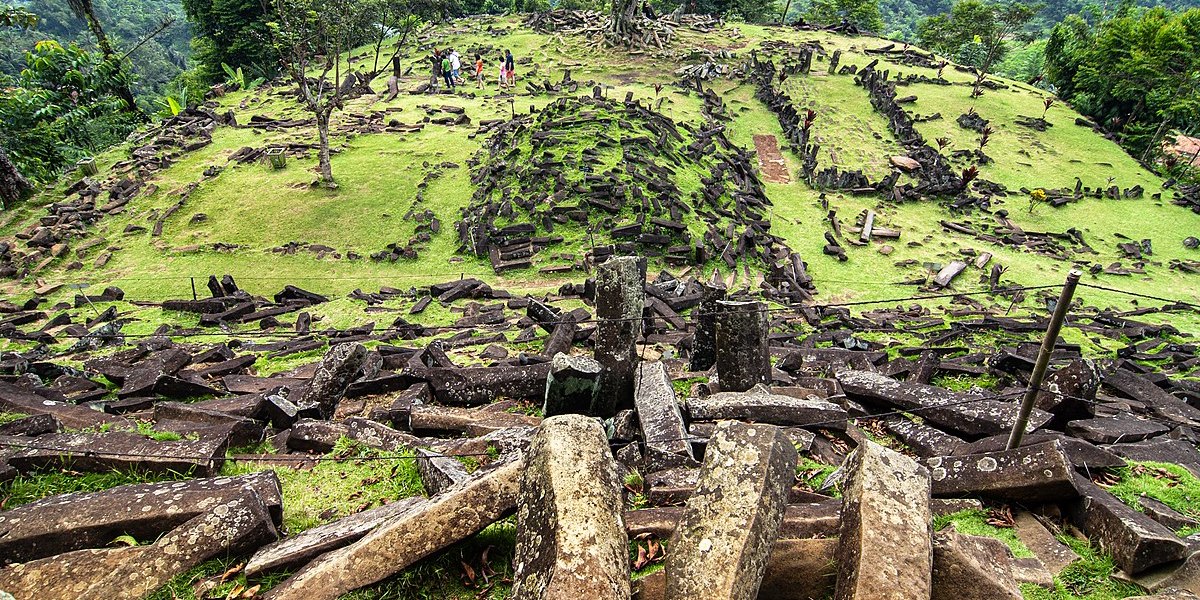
[260,209]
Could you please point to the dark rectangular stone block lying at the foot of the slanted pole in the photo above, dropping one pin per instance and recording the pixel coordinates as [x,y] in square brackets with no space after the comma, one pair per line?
[1040,473]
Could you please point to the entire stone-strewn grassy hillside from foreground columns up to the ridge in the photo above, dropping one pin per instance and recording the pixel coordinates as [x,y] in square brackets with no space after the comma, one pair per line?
[374,391]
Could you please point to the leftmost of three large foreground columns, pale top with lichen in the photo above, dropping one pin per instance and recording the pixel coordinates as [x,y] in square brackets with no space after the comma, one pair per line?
[572,539]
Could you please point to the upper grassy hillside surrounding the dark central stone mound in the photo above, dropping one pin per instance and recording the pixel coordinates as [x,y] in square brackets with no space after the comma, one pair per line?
[386,175]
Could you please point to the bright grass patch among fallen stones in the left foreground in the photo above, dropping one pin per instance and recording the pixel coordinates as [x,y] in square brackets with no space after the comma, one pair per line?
[359,479]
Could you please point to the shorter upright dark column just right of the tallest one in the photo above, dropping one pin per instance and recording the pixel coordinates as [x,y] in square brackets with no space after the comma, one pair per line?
[743,358]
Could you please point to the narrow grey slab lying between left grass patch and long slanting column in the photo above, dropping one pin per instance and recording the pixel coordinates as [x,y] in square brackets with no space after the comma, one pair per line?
[296,551]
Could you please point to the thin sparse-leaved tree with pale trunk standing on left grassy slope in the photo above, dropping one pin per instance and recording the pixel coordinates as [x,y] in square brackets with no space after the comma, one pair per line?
[315,34]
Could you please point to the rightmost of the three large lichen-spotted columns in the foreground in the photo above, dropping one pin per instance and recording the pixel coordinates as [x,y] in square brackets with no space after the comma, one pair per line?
[886,537]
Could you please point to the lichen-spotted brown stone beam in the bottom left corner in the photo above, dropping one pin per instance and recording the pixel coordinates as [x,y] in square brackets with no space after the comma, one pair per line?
[231,526]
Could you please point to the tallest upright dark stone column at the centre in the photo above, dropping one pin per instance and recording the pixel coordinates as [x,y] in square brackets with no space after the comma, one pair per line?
[621,297]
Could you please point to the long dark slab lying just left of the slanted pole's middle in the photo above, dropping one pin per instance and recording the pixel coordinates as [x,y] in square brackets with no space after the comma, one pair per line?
[945,409]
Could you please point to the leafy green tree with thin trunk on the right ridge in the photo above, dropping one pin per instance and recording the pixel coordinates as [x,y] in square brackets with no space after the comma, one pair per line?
[977,31]
